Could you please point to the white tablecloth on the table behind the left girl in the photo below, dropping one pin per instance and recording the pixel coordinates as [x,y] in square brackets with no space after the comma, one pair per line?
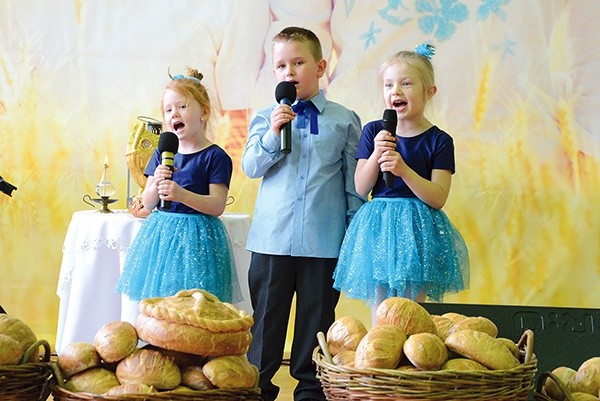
[94,252]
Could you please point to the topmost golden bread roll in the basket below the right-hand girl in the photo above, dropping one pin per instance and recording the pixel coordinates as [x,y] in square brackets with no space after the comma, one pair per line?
[406,314]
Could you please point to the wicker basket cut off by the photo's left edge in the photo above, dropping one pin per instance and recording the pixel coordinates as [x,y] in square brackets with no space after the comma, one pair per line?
[31,381]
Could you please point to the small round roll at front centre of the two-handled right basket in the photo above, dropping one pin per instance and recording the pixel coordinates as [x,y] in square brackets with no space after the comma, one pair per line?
[426,351]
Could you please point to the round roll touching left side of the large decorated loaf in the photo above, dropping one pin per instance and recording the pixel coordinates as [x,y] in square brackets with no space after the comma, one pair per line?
[115,340]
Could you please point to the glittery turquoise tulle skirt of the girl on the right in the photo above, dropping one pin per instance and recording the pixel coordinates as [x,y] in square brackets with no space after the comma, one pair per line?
[403,246]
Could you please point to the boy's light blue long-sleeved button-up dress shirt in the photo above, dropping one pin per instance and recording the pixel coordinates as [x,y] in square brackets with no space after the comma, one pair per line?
[306,198]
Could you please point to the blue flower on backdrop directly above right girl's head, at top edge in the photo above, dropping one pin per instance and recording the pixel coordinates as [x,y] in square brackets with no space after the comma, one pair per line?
[445,14]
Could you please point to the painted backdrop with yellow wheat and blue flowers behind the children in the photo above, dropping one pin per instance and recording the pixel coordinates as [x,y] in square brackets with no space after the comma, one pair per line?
[518,89]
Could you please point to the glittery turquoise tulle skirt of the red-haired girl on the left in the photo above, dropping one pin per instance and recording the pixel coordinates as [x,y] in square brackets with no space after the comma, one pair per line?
[177,251]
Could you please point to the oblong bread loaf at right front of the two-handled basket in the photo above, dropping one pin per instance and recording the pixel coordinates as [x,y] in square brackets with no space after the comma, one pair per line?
[483,348]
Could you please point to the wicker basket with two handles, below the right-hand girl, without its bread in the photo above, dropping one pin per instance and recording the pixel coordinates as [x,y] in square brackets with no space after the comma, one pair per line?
[344,383]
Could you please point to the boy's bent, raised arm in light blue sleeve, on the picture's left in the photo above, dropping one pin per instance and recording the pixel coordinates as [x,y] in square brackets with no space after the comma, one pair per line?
[262,148]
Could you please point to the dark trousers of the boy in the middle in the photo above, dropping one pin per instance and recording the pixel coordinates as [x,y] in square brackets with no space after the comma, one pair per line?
[273,281]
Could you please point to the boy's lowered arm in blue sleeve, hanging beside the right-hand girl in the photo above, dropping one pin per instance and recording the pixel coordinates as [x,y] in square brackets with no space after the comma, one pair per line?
[353,199]
